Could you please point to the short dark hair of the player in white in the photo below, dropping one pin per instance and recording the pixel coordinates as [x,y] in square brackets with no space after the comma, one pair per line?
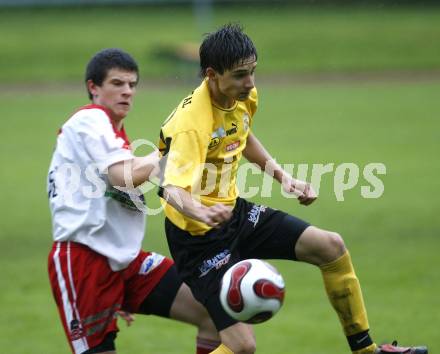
[105,60]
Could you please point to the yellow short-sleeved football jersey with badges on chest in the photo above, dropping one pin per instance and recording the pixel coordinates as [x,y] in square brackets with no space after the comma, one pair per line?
[203,145]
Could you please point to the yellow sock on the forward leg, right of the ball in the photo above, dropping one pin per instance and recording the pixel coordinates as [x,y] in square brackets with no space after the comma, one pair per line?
[345,294]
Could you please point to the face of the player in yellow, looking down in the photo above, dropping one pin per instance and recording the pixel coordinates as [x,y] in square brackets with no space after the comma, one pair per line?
[237,83]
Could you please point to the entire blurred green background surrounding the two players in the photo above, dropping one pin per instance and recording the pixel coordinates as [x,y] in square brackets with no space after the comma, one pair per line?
[337,84]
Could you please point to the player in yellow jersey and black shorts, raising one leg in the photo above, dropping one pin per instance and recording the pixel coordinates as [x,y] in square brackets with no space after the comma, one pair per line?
[209,227]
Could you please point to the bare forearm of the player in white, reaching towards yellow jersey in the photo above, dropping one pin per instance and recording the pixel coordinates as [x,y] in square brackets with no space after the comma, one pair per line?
[132,173]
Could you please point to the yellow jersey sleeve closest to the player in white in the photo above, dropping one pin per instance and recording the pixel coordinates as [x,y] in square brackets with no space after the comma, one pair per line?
[186,155]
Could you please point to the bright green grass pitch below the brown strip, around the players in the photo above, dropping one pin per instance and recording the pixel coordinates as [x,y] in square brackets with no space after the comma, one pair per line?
[393,239]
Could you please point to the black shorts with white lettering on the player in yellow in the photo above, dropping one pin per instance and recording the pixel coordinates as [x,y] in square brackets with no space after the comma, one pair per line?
[254,231]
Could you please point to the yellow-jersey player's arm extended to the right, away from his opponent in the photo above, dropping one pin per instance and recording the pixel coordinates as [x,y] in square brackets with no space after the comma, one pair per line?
[256,153]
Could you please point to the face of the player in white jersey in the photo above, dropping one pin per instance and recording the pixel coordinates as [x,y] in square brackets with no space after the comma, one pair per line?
[116,92]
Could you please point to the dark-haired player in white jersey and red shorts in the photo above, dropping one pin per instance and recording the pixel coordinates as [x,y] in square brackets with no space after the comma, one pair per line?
[97,269]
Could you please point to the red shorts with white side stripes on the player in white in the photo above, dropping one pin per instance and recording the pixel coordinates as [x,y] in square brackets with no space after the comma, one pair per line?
[88,292]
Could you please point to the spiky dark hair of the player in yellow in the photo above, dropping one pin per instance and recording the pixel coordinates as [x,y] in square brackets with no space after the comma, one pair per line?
[223,49]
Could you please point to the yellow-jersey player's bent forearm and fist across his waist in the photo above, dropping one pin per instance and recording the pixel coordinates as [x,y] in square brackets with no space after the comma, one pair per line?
[182,201]
